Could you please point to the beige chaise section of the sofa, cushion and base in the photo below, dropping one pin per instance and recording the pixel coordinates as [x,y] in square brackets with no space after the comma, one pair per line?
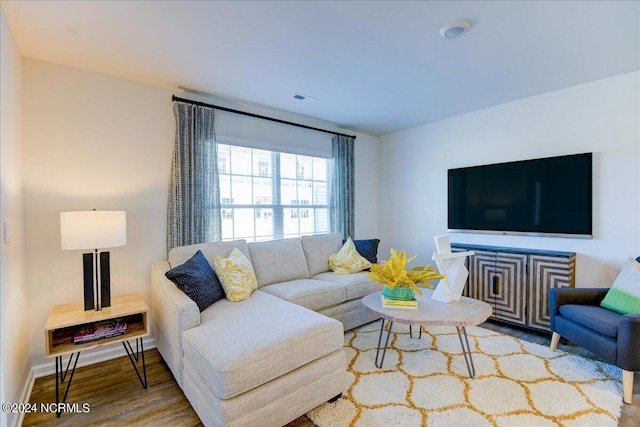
[239,348]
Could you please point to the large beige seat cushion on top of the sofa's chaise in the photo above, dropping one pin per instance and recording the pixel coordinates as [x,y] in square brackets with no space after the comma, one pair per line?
[252,342]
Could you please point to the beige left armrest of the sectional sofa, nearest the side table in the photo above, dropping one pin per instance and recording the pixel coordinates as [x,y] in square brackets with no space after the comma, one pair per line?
[173,313]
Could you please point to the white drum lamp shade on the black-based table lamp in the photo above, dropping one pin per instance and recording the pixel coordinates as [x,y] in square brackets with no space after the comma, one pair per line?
[93,229]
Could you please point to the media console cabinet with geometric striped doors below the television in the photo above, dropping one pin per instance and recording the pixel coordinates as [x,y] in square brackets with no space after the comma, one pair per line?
[516,281]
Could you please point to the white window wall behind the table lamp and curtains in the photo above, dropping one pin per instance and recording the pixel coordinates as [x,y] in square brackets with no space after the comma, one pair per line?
[95,141]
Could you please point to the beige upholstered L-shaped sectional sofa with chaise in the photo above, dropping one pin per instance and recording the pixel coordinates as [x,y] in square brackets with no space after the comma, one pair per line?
[268,359]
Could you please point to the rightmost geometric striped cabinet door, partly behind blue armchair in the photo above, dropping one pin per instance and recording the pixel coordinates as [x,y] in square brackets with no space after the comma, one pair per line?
[546,272]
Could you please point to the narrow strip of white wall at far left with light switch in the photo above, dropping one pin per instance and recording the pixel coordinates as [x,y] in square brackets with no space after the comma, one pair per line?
[14,365]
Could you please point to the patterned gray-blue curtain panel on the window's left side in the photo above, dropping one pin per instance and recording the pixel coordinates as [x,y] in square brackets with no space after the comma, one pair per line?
[193,210]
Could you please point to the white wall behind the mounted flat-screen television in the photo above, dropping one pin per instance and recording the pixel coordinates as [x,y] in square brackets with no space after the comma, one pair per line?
[602,117]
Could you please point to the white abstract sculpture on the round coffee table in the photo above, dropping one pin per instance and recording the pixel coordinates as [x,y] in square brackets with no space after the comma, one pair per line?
[451,265]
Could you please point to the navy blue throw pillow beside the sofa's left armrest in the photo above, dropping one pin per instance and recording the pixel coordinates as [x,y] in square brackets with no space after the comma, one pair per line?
[197,279]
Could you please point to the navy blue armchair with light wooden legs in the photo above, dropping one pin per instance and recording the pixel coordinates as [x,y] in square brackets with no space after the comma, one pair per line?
[576,315]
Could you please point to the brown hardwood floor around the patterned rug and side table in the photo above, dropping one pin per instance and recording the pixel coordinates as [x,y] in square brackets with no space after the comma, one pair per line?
[116,398]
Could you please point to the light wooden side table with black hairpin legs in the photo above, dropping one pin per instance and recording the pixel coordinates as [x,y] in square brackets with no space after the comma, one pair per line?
[66,319]
